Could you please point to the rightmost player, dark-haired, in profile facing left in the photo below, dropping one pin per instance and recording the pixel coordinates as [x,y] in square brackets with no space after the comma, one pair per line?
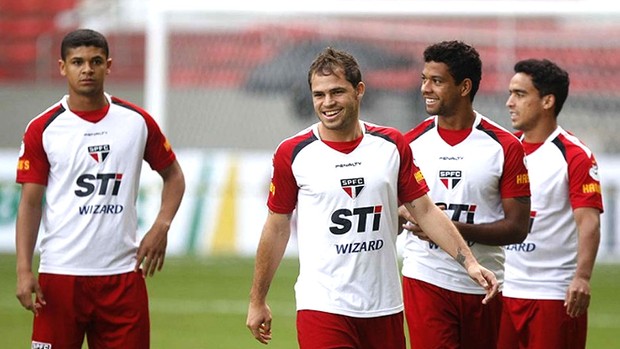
[547,280]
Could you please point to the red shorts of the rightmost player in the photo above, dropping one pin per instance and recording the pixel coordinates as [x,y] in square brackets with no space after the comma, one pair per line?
[538,324]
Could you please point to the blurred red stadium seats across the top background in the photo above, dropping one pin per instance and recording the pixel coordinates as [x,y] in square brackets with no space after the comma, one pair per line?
[222,59]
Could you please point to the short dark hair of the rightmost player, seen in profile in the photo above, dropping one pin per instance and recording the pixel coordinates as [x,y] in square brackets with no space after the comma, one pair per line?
[548,78]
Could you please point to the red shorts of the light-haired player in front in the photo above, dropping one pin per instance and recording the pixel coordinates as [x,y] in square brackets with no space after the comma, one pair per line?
[320,330]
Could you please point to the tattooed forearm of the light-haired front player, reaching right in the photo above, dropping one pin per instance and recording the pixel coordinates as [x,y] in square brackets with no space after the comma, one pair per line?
[442,231]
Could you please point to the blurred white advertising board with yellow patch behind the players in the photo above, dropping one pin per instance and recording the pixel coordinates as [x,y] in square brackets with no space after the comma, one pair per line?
[224,209]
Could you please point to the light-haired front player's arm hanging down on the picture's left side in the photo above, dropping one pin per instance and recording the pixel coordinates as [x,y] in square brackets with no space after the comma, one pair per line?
[271,248]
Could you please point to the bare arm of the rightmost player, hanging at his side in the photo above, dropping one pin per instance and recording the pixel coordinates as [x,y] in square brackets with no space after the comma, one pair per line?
[589,235]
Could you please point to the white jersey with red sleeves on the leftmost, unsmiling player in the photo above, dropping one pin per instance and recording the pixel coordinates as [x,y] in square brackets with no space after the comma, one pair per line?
[92,170]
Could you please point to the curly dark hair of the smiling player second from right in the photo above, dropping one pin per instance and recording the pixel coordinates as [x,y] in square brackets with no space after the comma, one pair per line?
[463,61]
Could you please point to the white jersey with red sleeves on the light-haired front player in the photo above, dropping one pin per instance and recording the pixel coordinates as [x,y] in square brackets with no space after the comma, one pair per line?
[347,214]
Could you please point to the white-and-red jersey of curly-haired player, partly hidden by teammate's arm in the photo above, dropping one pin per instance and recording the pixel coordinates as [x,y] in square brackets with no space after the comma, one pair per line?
[468,180]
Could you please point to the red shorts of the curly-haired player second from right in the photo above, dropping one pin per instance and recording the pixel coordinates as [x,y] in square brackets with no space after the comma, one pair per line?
[441,319]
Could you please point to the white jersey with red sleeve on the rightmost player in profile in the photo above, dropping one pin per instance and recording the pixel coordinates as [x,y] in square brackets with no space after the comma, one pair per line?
[563,176]
